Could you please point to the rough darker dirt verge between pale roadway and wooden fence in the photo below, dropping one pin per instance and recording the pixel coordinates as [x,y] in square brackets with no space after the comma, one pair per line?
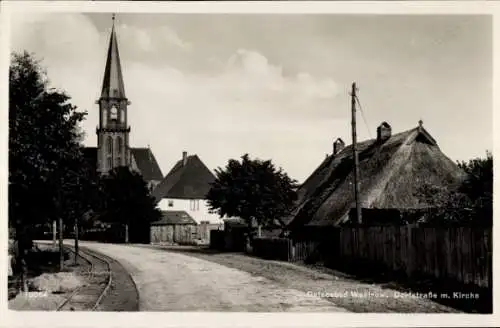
[340,289]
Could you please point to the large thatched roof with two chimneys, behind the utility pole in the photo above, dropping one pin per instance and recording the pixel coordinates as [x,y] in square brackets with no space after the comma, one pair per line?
[392,169]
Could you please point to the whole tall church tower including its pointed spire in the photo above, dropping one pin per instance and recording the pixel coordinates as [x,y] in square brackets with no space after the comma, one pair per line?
[112,133]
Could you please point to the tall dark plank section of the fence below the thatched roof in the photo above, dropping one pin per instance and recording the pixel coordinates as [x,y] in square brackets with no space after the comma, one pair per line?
[463,254]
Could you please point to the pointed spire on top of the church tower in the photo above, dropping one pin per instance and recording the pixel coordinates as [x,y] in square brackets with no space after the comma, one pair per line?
[112,86]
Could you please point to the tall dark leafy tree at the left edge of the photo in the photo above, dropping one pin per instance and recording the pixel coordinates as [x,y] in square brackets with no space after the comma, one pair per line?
[44,144]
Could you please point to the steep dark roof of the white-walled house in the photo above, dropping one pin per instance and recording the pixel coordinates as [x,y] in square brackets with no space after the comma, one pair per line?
[188,179]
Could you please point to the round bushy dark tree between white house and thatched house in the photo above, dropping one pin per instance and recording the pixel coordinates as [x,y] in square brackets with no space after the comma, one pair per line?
[252,190]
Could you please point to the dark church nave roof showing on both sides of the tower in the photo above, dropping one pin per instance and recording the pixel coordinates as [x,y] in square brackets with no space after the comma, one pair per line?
[143,157]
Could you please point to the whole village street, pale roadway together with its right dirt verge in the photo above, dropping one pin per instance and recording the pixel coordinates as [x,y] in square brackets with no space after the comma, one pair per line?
[171,281]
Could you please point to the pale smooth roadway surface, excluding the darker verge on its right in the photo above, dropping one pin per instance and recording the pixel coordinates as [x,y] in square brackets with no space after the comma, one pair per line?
[169,281]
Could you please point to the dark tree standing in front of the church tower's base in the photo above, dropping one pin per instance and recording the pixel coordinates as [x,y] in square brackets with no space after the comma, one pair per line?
[128,202]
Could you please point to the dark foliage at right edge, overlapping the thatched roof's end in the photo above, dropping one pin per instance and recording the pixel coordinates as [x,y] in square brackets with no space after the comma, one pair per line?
[472,201]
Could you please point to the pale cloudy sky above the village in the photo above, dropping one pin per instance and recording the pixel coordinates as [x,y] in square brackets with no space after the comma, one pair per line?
[274,86]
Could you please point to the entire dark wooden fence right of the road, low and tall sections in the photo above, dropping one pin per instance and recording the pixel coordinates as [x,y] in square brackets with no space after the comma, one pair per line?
[463,254]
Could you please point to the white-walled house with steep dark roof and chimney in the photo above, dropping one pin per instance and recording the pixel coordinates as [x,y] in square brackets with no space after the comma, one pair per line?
[185,188]
